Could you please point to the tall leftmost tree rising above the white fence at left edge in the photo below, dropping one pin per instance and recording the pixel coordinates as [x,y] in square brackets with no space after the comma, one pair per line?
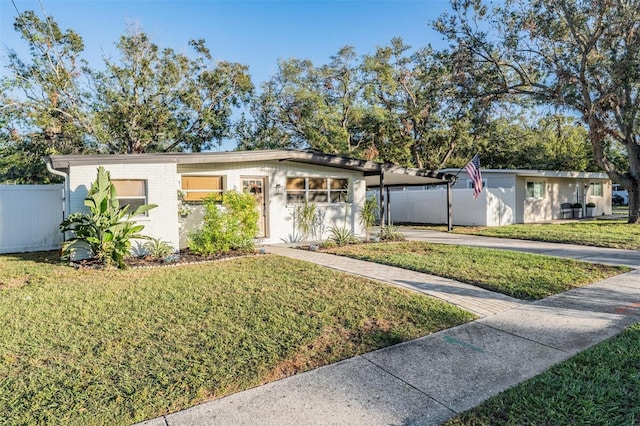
[43,104]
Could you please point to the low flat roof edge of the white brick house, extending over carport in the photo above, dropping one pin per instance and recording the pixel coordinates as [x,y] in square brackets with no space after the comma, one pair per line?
[393,175]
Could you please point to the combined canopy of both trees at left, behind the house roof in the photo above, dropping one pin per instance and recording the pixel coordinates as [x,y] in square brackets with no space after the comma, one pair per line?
[148,100]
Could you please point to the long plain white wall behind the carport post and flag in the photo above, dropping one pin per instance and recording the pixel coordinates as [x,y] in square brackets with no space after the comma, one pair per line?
[493,207]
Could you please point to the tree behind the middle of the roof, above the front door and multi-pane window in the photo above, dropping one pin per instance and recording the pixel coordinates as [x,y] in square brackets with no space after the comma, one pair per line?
[311,107]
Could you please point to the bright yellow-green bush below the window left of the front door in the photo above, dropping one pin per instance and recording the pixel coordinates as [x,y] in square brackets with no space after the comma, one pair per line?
[230,226]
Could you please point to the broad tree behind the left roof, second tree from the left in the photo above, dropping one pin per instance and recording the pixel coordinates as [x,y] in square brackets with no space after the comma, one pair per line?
[159,100]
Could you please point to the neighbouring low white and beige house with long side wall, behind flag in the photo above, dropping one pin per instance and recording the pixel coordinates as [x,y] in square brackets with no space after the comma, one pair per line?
[509,196]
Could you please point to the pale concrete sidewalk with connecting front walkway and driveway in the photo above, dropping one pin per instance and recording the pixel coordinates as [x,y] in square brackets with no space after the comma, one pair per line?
[429,380]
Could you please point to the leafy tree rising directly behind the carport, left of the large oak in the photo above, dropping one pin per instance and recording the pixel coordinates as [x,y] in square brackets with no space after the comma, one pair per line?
[422,116]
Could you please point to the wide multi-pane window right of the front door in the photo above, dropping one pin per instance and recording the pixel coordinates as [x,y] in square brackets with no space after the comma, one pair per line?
[317,190]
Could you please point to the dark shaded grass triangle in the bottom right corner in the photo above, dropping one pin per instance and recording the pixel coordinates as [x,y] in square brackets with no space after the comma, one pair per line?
[600,386]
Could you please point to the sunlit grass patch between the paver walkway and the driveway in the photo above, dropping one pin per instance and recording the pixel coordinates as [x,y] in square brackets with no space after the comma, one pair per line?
[521,275]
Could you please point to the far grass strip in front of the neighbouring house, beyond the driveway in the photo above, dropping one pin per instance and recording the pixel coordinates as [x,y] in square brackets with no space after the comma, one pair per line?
[598,233]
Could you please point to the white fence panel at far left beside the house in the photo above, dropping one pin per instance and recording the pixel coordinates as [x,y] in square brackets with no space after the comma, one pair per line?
[29,217]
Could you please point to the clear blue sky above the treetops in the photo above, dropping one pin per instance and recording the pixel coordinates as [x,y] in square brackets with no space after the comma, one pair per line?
[254,33]
